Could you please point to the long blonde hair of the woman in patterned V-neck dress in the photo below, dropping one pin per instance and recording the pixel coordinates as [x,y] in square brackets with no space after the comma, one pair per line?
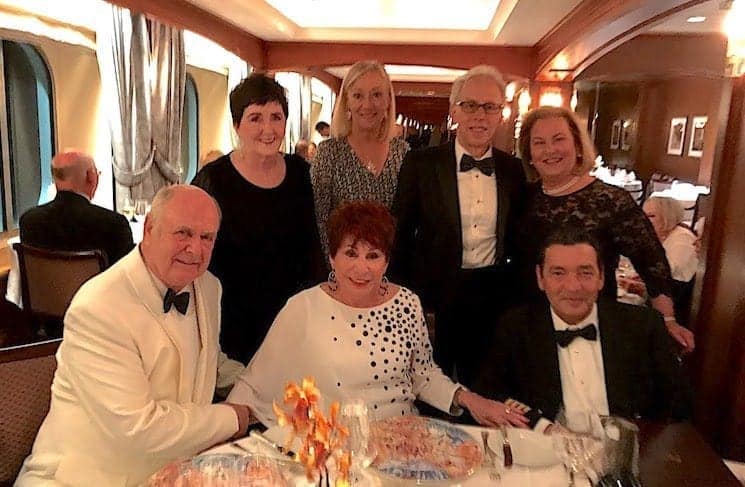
[341,124]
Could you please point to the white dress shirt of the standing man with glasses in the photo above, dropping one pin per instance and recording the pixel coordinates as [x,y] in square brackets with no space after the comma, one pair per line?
[477,196]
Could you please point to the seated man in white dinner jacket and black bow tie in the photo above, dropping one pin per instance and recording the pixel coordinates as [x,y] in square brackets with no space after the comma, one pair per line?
[138,365]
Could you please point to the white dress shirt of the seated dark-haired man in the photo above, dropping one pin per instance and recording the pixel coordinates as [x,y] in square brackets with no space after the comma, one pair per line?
[582,370]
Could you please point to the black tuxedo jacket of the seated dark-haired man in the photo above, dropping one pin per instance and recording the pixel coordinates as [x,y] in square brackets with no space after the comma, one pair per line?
[643,377]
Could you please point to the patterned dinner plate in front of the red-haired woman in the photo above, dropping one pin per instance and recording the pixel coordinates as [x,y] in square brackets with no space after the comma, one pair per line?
[419,450]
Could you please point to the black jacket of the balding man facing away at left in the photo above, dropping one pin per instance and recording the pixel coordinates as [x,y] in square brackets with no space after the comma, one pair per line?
[71,222]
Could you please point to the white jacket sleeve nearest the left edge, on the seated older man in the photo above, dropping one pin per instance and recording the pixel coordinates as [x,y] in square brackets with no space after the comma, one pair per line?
[106,372]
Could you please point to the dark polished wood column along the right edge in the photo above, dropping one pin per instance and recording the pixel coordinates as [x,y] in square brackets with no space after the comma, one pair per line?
[719,361]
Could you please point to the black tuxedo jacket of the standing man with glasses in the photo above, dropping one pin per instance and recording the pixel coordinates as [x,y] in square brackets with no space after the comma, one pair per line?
[428,251]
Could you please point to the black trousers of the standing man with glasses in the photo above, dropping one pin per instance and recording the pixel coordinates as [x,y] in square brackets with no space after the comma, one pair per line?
[465,321]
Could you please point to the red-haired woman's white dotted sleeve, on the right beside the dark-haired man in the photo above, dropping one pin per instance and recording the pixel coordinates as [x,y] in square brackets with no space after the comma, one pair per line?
[430,384]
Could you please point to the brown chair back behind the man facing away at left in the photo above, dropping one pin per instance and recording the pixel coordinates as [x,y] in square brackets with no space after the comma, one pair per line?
[50,278]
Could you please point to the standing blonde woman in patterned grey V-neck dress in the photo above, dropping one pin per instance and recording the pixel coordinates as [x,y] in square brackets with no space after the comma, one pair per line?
[362,158]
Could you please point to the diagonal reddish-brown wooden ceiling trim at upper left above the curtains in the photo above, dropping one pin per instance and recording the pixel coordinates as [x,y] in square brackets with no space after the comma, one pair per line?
[184,15]
